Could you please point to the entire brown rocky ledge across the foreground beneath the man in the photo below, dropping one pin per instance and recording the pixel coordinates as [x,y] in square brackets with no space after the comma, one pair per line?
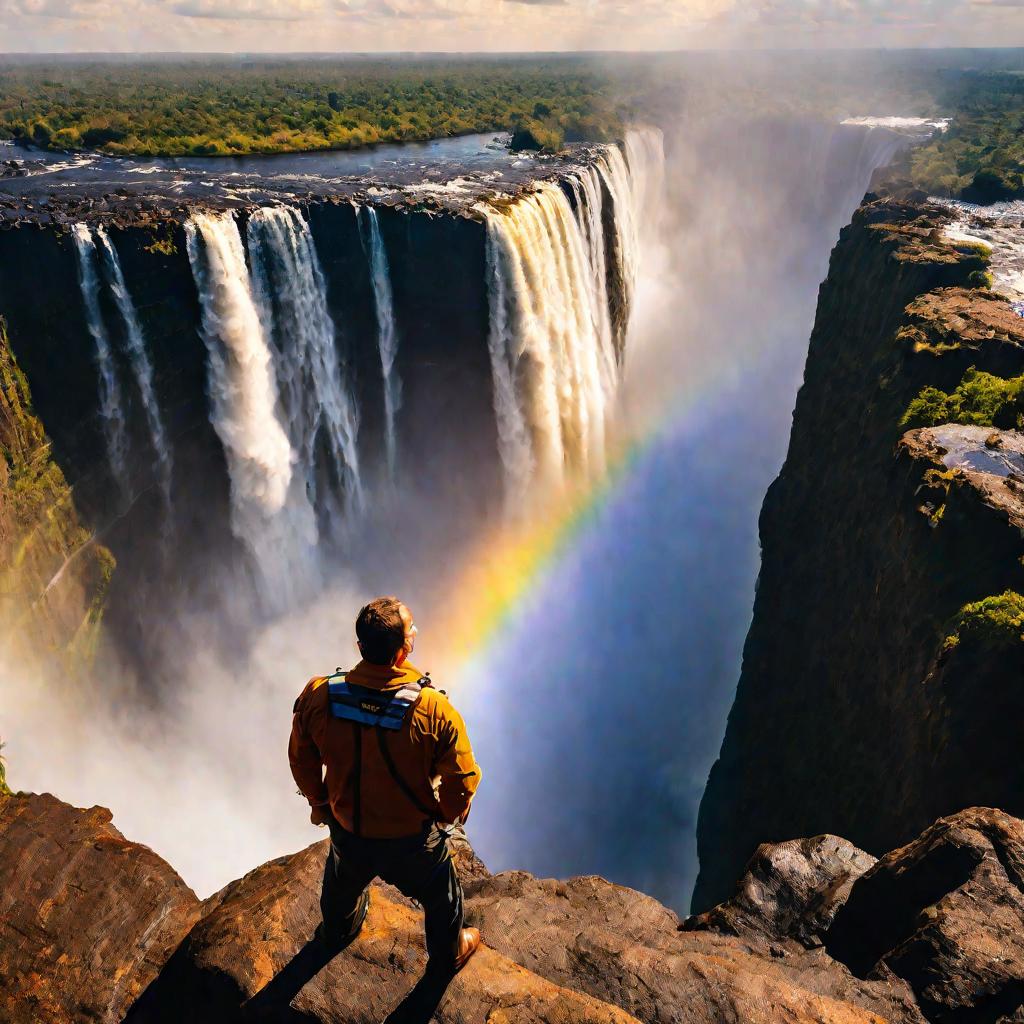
[97,928]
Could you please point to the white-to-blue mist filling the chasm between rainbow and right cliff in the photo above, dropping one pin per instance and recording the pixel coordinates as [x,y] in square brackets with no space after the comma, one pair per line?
[604,702]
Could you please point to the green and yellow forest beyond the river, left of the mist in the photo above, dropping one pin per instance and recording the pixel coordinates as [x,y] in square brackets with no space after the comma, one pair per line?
[281,106]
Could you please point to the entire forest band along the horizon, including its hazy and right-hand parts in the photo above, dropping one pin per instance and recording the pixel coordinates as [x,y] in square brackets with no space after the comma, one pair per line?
[230,106]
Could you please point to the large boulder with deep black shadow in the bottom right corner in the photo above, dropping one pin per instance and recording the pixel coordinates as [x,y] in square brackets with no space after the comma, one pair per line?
[946,914]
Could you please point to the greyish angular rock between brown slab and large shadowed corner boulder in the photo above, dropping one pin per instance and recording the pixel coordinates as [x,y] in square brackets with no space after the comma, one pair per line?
[790,891]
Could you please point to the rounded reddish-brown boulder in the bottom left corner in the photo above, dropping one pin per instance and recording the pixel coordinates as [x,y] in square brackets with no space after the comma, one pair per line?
[88,919]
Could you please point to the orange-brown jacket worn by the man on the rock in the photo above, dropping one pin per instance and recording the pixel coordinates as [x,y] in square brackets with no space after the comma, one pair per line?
[431,752]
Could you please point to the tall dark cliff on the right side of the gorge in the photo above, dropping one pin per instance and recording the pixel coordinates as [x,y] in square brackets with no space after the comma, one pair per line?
[860,711]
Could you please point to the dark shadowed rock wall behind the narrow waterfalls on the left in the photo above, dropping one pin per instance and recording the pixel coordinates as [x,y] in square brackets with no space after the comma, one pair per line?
[446,426]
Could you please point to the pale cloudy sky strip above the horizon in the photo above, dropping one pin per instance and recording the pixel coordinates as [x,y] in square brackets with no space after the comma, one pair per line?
[357,26]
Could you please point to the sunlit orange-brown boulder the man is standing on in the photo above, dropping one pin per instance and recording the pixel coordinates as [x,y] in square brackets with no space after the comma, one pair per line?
[253,958]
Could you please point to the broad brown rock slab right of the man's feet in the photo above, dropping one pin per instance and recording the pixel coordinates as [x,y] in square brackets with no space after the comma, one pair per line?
[625,949]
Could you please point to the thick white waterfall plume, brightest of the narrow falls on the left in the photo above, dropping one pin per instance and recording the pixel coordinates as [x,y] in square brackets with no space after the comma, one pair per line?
[271,510]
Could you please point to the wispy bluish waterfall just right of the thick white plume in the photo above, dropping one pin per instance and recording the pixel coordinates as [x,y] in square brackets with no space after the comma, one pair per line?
[320,411]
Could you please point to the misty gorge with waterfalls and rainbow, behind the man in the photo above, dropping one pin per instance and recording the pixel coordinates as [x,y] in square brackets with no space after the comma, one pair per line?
[433,335]
